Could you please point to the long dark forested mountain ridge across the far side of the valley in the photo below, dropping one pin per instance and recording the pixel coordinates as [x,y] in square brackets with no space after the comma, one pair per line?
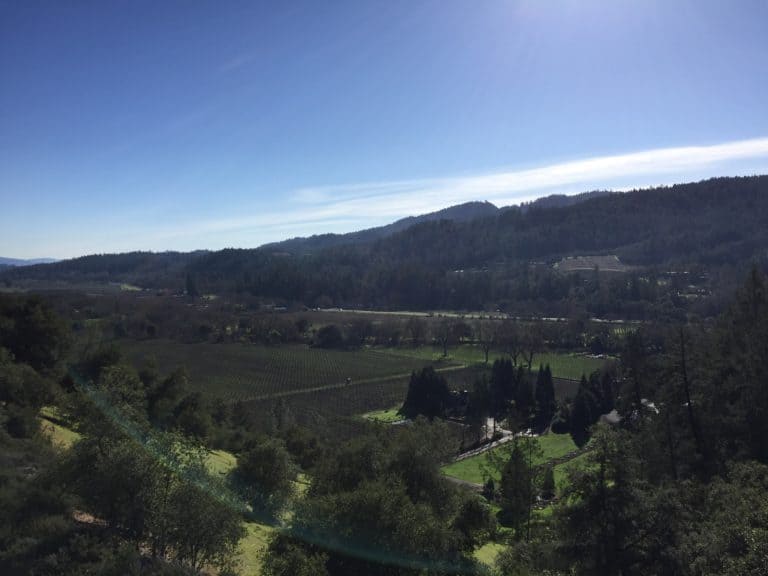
[709,231]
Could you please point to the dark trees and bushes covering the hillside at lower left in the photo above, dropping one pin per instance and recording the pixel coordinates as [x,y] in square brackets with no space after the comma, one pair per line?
[133,494]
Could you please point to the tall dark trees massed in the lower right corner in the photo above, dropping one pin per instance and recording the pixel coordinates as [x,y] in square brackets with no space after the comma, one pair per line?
[677,485]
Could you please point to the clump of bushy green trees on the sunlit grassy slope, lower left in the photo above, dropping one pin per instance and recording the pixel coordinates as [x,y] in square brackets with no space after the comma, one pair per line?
[155,494]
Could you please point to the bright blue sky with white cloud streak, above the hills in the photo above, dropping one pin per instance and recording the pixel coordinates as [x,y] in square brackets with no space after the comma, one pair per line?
[183,125]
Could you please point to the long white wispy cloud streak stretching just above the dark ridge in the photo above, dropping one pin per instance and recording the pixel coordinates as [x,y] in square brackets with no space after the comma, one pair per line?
[353,206]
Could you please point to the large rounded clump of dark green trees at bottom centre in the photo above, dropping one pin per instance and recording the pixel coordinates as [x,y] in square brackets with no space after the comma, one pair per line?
[379,505]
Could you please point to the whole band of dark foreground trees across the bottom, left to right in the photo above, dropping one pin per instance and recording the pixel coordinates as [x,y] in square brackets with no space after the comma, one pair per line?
[676,485]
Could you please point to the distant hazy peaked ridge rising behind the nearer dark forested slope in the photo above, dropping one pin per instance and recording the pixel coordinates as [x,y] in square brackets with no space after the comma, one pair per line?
[459,213]
